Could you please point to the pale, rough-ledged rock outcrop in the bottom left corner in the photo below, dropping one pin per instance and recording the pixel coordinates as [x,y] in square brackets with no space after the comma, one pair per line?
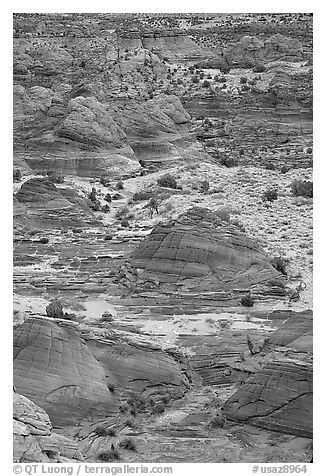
[33,439]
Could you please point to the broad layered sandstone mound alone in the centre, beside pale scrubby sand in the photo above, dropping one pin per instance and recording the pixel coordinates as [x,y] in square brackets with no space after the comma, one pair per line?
[203,253]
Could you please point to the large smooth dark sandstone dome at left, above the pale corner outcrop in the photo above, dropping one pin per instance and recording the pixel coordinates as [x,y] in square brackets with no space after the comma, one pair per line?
[55,369]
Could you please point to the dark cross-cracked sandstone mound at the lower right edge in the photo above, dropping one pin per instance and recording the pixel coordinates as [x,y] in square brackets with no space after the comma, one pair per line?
[278,397]
